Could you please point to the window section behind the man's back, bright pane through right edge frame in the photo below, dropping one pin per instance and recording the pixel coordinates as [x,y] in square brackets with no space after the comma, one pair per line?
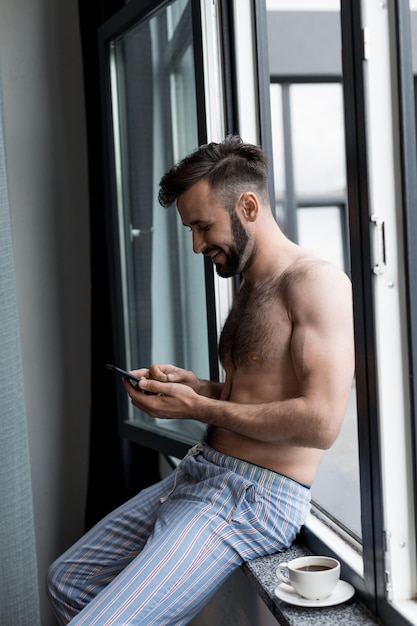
[380,130]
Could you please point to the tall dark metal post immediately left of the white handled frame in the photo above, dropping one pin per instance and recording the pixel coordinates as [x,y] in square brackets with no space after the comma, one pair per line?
[366,377]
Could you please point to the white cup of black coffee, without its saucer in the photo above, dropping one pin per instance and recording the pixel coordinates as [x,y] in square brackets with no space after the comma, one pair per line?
[312,577]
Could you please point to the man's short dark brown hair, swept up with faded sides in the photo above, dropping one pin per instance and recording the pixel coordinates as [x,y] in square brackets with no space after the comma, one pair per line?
[230,167]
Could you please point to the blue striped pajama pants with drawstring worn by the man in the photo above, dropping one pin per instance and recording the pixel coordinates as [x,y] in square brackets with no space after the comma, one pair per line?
[160,557]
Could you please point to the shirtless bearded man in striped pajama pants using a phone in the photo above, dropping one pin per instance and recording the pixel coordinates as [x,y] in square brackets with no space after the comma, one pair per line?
[287,351]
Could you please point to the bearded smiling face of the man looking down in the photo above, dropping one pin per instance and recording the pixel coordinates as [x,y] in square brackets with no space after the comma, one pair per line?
[215,233]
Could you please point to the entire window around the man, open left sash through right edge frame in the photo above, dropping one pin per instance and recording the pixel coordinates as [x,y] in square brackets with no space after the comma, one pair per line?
[360,214]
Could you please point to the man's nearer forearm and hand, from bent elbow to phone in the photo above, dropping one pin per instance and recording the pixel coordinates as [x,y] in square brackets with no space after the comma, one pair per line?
[312,422]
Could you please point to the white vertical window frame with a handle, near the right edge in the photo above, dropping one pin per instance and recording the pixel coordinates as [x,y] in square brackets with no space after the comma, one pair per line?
[386,224]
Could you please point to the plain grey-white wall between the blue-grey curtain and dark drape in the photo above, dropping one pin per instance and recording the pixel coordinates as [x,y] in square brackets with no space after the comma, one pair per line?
[41,78]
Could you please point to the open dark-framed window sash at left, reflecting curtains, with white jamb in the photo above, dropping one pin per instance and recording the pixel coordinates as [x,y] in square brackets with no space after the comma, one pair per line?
[162,71]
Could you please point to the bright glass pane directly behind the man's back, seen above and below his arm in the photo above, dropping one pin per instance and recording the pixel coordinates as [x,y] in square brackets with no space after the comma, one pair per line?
[309,168]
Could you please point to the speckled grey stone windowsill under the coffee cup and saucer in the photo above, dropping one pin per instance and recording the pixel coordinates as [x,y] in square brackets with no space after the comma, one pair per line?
[261,574]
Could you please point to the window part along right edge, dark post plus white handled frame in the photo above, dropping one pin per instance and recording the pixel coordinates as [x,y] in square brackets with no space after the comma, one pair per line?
[382,173]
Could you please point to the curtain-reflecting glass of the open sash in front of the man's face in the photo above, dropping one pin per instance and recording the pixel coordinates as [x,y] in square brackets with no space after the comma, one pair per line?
[163,286]
